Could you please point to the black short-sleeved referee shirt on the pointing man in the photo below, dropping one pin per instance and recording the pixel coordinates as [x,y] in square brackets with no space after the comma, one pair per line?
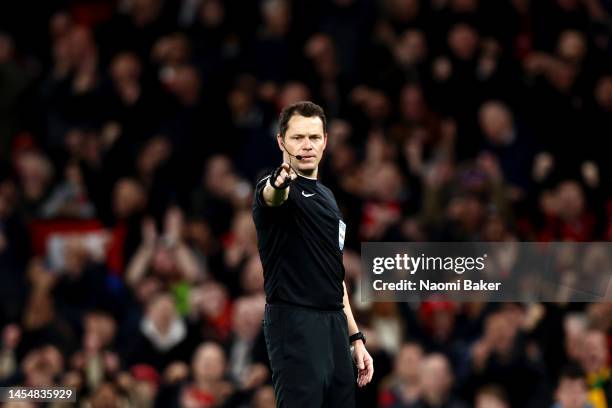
[300,245]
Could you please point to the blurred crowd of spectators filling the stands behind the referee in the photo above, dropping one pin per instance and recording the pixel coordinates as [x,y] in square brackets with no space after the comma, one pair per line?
[132,133]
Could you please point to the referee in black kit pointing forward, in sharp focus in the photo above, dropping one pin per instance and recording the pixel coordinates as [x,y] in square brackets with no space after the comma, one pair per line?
[308,323]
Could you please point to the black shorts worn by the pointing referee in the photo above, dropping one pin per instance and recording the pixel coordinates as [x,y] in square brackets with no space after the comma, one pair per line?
[310,357]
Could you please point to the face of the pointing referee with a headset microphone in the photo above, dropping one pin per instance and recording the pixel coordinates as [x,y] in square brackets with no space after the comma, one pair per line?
[304,137]
